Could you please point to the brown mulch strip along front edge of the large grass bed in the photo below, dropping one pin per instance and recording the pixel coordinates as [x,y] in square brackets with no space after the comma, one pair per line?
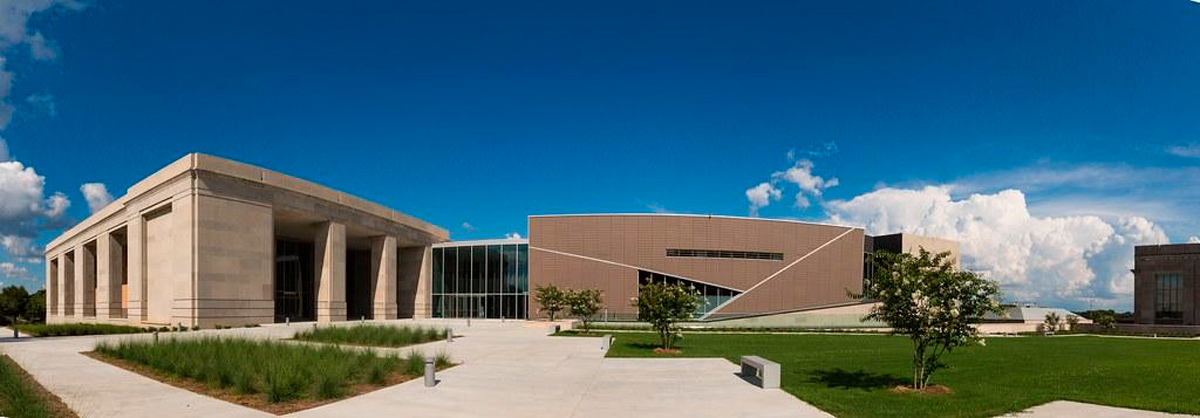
[257,402]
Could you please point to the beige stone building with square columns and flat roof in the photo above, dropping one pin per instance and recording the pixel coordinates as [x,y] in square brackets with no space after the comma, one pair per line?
[208,242]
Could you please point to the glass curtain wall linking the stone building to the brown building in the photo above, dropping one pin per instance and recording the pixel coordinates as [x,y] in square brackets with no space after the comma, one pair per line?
[482,282]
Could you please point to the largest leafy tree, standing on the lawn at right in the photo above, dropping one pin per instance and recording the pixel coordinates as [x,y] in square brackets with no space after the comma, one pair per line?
[937,306]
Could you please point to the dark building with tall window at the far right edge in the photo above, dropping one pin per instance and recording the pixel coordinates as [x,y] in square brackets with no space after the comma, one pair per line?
[1166,279]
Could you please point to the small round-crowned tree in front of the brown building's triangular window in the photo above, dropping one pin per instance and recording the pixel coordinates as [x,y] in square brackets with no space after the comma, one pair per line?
[662,306]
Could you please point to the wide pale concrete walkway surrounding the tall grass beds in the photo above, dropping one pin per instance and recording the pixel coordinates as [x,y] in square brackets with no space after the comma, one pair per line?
[507,369]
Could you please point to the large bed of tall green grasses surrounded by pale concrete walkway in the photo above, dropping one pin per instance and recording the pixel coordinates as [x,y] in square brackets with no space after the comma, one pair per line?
[272,377]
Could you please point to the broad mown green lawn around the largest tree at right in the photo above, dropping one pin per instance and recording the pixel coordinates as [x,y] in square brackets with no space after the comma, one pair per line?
[850,375]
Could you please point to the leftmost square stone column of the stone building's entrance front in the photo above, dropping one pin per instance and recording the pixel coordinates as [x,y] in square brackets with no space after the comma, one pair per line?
[331,270]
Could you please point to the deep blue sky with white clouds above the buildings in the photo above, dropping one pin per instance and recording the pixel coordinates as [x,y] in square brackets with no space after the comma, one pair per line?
[1048,136]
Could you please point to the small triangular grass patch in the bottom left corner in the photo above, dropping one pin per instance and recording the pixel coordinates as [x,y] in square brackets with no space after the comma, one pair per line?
[22,397]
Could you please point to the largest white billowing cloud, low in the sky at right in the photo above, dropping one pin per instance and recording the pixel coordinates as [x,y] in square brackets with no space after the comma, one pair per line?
[1042,259]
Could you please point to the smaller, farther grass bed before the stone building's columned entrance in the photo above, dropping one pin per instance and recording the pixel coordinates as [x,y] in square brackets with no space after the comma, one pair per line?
[374,336]
